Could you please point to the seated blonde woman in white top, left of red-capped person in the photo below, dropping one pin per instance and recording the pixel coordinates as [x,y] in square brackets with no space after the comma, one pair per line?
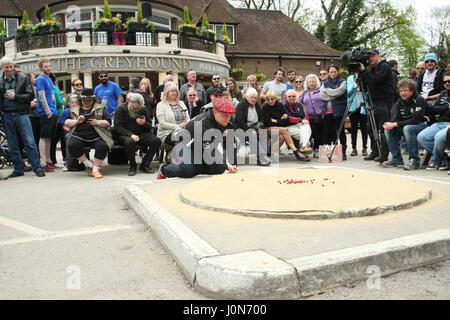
[171,112]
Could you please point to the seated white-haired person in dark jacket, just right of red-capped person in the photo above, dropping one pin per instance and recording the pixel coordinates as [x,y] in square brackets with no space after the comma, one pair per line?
[249,118]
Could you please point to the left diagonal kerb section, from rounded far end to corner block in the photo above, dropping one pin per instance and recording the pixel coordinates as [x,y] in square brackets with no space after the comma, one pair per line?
[185,246]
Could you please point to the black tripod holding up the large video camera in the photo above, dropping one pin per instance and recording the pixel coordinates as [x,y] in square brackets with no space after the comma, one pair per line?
[368,106]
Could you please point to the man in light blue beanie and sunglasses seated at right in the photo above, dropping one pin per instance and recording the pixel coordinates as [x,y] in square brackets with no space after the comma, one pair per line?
[431,81]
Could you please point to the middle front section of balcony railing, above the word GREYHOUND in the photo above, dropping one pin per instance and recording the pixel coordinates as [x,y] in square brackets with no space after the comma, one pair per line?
[104,38]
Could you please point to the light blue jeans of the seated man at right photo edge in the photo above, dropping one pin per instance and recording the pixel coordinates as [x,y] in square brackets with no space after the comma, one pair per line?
[433,139]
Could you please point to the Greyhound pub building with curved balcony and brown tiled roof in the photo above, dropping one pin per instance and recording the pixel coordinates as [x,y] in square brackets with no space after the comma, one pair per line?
[259,41]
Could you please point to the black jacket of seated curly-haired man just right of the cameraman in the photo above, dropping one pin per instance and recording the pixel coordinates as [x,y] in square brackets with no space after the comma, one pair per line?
[409,112]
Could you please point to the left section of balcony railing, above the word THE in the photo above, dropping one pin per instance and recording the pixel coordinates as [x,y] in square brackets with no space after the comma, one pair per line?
[55,39]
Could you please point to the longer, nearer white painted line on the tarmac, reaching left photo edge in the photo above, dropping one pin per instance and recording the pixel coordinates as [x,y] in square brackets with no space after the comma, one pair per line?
[66,234]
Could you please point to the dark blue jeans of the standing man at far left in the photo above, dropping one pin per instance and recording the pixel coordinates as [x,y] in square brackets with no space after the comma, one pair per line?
[16,124]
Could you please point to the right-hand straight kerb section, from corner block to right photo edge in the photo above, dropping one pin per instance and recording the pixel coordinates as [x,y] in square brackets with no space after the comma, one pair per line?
[332,269]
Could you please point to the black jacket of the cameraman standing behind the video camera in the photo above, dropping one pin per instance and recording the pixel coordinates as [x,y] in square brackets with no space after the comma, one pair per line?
[380,83]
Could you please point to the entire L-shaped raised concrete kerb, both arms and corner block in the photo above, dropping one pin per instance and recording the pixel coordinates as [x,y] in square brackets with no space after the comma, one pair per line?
[259,275]
